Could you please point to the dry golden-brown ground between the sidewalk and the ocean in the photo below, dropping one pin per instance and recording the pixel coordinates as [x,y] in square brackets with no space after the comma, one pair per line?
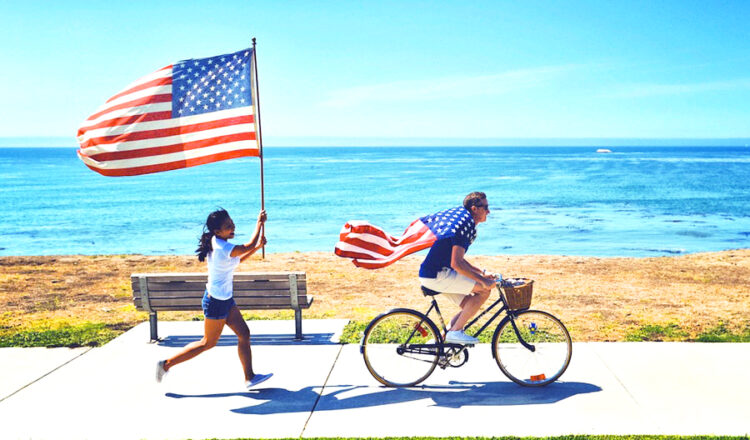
[599,299]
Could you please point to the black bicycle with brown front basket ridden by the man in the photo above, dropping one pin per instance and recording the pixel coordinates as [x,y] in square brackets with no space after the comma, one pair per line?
[402,347]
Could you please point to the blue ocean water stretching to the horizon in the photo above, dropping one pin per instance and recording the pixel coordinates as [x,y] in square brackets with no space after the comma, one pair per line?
[635,201]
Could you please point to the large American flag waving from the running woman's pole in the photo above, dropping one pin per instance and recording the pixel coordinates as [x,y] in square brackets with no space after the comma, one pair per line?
[190,113]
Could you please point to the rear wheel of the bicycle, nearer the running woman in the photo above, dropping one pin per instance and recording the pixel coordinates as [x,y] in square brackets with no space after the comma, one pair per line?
[400,348]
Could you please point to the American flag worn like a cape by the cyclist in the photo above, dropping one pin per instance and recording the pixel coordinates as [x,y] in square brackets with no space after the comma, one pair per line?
[371,247]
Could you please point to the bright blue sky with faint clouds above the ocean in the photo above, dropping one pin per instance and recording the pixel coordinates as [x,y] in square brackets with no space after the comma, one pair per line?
[400,69]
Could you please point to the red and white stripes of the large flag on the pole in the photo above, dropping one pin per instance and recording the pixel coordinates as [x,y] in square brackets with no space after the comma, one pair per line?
[136,131]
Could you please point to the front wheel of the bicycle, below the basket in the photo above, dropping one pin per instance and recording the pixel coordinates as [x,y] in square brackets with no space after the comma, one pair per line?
[545,358]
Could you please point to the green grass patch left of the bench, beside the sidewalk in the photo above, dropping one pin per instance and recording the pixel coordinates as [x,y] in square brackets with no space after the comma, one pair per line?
[87,334]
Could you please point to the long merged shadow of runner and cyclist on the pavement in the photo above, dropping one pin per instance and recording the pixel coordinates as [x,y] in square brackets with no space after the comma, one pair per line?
[456,395]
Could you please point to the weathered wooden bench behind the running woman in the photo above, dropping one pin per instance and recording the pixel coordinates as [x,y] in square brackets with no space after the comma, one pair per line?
[155,292]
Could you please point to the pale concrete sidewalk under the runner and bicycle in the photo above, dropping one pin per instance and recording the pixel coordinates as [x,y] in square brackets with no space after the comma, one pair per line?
[321,388]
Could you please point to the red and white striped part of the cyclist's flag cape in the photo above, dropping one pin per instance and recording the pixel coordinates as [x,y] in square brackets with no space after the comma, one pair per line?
[371,247]
